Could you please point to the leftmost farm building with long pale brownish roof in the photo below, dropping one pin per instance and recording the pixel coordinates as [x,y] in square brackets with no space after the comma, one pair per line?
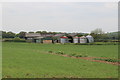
[33,37]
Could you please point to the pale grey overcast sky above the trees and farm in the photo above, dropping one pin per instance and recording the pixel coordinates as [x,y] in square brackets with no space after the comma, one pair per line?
[60,16]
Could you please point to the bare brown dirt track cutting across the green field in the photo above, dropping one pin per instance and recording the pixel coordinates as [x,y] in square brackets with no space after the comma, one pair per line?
[92,59]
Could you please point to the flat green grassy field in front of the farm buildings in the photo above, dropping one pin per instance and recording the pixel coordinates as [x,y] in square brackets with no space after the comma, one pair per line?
[30,60]
